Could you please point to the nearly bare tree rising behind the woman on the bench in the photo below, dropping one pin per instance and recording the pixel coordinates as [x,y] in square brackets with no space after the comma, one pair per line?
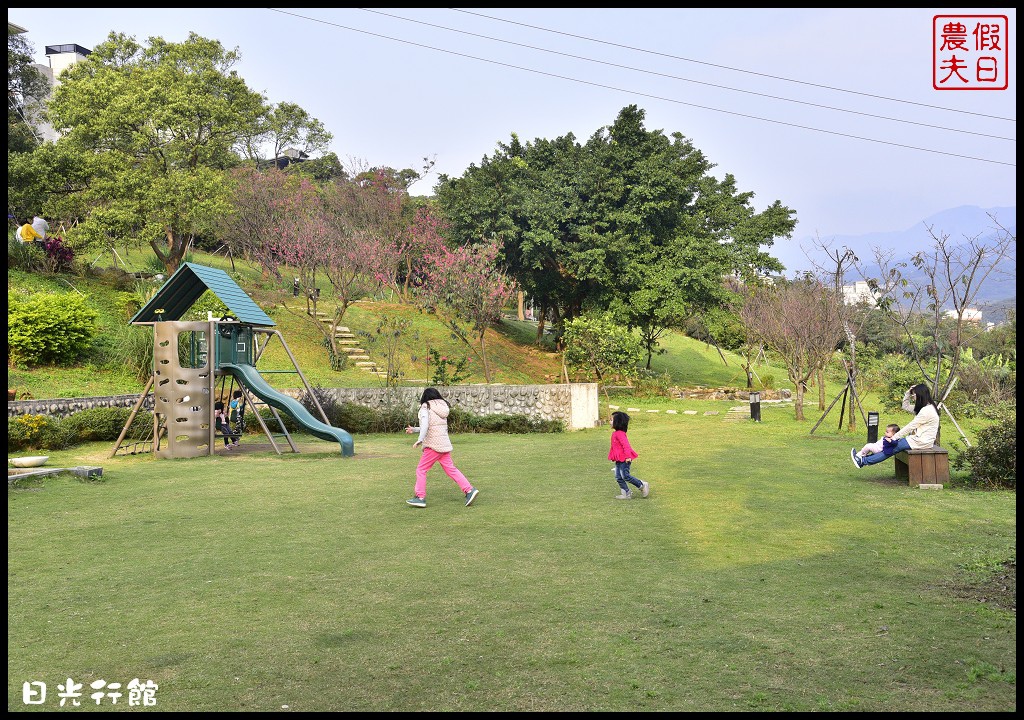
[937,288]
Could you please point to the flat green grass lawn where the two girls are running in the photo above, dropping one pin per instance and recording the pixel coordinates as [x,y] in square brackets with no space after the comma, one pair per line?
[764,573]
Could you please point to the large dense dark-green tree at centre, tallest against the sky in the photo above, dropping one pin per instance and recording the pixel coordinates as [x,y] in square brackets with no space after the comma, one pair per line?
[631,221]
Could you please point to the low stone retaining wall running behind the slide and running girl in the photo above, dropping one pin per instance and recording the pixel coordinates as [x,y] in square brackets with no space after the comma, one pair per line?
[575,405]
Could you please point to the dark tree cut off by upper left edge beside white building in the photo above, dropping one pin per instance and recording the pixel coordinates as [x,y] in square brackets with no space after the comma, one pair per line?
[27,88]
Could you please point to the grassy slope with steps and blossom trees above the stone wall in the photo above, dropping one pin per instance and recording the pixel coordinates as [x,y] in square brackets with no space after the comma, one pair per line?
[514,356]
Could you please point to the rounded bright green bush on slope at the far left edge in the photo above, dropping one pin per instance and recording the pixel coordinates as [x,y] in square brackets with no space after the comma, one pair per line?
[54,329]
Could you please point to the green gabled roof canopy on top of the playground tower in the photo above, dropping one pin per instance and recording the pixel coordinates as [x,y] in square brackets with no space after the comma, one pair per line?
[188,285]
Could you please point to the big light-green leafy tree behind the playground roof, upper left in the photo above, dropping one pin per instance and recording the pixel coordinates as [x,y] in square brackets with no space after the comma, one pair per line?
[154,130]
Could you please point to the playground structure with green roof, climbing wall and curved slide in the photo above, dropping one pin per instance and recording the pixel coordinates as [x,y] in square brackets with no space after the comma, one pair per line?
[192,358]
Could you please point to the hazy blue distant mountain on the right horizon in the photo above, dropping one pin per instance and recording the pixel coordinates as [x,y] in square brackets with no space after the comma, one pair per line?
[961,225]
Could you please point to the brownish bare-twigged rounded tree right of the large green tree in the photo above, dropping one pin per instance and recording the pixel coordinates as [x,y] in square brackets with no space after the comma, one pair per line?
[801,321]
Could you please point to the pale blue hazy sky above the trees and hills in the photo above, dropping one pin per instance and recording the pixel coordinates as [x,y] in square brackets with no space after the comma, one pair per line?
[831,112]
